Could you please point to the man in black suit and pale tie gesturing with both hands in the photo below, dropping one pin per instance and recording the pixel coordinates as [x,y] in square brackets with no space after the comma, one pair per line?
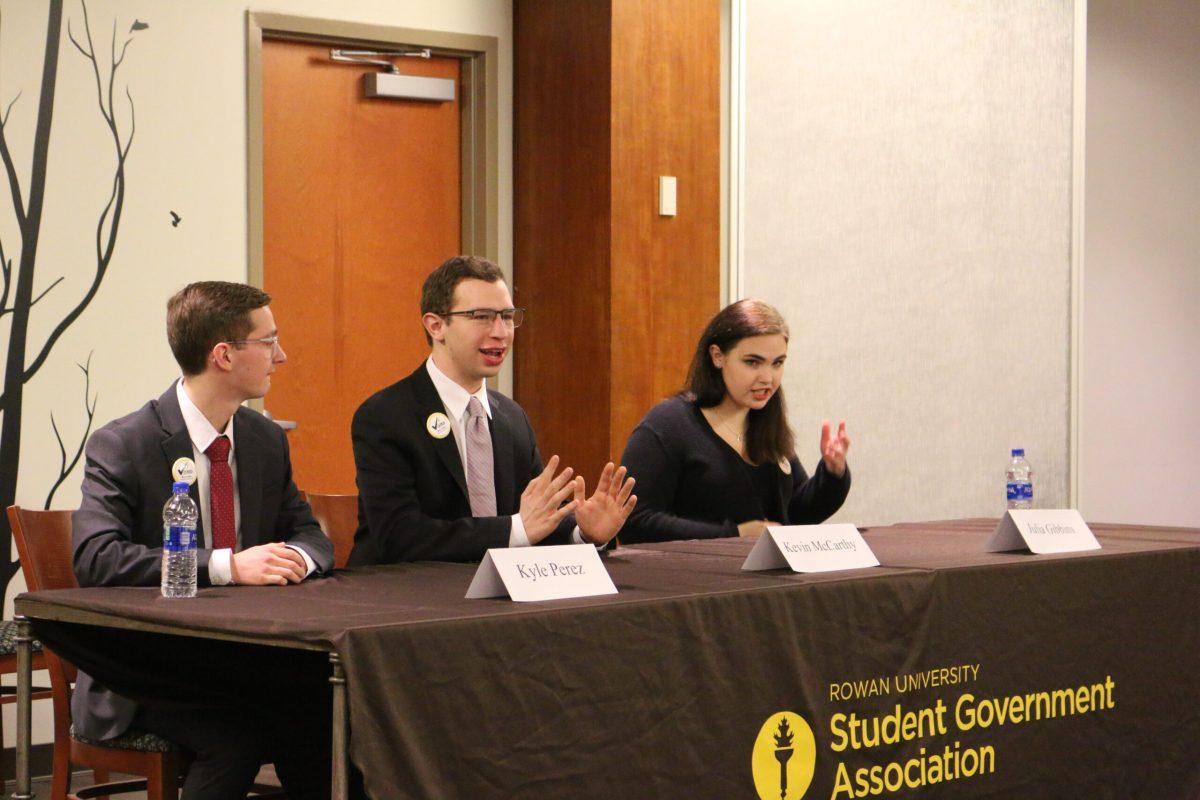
[447,468]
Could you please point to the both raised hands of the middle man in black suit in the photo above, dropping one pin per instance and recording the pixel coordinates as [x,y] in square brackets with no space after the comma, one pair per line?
[549,498]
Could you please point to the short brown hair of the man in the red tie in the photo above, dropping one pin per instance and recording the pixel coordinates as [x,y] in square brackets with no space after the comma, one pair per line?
[202,315]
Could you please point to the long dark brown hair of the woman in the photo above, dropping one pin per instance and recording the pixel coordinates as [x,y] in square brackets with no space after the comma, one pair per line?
[769,436]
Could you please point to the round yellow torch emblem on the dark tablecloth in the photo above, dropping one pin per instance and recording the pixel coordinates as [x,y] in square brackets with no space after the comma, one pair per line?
[784,757]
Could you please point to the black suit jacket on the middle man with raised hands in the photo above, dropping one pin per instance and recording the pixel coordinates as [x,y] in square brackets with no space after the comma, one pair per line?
[413,502]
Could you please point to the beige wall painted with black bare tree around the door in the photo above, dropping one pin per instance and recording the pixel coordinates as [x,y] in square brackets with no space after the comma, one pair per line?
[188,77]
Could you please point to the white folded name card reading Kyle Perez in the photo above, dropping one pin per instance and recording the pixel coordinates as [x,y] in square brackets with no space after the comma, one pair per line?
[551,573]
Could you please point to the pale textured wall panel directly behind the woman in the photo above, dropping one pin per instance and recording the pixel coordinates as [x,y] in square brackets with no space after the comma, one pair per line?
[908,207]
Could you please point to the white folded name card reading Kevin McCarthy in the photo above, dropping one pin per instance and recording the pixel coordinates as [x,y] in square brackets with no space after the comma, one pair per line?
[812,549]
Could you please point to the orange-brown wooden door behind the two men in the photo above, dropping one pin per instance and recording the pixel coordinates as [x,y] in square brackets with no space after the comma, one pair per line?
[362,199]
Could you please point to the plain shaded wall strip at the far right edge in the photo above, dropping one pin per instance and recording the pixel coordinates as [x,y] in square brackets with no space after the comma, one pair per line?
[1141,407]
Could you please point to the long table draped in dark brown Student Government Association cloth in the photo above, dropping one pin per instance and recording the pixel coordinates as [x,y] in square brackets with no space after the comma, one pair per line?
[945,672]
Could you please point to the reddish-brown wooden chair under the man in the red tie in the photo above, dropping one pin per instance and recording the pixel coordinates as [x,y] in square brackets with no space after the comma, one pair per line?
[44,543]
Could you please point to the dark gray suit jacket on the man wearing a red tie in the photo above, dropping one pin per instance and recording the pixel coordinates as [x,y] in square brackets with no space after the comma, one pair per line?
[117,533]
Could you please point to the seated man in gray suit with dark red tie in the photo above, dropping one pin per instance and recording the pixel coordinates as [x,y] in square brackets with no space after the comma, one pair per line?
[256,531]
